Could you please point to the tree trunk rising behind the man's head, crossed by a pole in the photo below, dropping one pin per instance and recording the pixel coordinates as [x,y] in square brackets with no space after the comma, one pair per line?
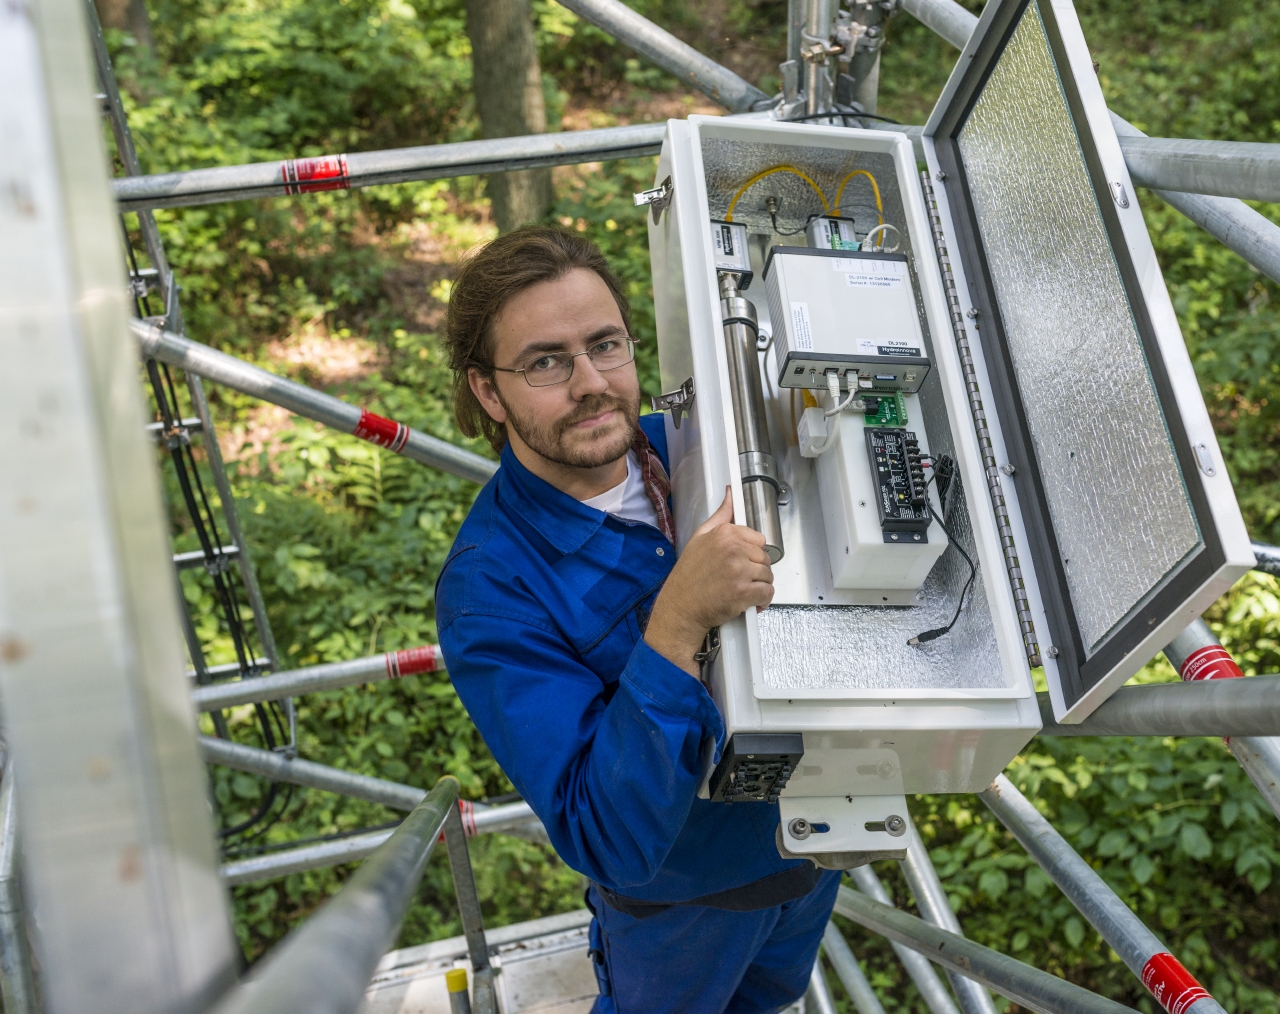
[509,89]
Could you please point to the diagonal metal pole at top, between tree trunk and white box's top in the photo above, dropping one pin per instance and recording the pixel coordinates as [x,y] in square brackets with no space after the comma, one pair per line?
[676,58]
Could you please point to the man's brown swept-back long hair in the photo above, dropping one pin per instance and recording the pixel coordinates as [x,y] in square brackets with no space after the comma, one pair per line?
[490,278]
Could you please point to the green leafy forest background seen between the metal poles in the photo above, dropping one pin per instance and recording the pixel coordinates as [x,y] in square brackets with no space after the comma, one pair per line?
[348,291]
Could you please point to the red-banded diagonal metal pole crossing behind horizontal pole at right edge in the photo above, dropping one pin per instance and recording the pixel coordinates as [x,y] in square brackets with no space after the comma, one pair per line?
[1201,659]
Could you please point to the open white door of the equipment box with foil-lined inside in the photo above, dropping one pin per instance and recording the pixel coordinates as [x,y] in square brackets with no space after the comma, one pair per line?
[1131,518]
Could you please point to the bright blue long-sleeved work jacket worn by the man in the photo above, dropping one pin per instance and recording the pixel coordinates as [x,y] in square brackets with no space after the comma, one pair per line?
[541,609]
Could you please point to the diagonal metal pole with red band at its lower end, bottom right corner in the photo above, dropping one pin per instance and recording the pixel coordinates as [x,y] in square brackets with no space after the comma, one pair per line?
[1139,948]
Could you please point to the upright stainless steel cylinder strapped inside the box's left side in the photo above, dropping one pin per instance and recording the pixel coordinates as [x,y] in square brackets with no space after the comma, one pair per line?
[756,455]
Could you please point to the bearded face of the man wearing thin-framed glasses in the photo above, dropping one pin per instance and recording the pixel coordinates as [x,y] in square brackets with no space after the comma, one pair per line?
[586,422]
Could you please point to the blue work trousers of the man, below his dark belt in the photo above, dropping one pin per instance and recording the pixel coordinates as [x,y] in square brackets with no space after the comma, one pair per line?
[691,960]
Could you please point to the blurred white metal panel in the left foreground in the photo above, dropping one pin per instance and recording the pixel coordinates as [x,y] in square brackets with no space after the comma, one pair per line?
[117,838]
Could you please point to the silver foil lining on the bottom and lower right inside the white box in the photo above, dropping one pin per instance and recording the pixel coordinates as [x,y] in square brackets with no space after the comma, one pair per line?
[865,647]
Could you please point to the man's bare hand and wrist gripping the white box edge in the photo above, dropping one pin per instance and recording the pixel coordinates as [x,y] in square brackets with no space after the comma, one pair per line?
[721,574]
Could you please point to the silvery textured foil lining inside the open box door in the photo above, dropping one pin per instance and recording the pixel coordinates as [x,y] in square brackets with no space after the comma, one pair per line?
[1116,492]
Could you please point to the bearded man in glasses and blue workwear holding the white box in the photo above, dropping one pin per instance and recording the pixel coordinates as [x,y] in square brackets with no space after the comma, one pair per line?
[572,633]
